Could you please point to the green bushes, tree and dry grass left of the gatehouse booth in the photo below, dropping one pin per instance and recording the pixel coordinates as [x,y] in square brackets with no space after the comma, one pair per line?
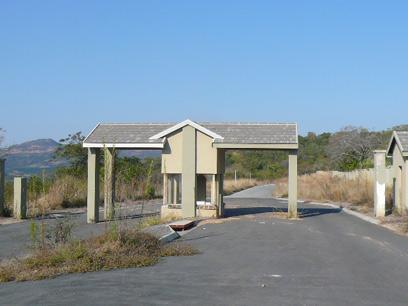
[136,179]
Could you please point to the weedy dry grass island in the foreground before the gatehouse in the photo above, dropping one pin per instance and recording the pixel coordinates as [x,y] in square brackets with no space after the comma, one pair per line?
[124,249]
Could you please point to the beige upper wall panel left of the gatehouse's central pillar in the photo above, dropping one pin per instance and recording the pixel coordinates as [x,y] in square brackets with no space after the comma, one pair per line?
[172,154]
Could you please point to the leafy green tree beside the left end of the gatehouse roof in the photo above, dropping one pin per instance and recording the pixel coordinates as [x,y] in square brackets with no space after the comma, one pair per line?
[71,150]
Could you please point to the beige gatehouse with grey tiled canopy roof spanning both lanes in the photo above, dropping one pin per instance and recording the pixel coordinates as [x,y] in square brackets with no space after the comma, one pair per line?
[193,157]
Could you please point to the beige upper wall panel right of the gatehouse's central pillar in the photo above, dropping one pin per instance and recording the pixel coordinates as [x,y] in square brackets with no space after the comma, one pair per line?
[206,155]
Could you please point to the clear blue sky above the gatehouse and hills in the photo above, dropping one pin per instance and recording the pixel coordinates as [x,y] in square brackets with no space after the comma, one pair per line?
[67,65]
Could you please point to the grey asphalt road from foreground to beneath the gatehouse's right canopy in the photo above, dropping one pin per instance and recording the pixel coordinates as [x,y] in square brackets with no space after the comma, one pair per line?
[252,258]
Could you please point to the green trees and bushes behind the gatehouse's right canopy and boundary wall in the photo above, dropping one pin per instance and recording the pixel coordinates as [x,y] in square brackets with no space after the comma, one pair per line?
[346,150]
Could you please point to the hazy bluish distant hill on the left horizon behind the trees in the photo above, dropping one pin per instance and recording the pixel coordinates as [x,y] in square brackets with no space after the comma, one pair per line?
[33,157]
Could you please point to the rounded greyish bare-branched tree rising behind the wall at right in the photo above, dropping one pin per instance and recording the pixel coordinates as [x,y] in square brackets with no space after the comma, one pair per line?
[353,146]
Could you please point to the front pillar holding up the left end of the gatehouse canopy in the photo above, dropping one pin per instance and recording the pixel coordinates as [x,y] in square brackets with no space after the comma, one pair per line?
[93,186]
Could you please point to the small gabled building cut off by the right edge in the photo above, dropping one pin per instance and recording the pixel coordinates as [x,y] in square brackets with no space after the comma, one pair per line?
[398,151]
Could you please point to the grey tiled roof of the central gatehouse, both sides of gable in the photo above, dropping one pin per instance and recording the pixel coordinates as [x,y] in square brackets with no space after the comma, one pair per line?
[232,133]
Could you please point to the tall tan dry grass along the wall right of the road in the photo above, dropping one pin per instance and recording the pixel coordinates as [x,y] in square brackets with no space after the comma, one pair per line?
[324,186]
